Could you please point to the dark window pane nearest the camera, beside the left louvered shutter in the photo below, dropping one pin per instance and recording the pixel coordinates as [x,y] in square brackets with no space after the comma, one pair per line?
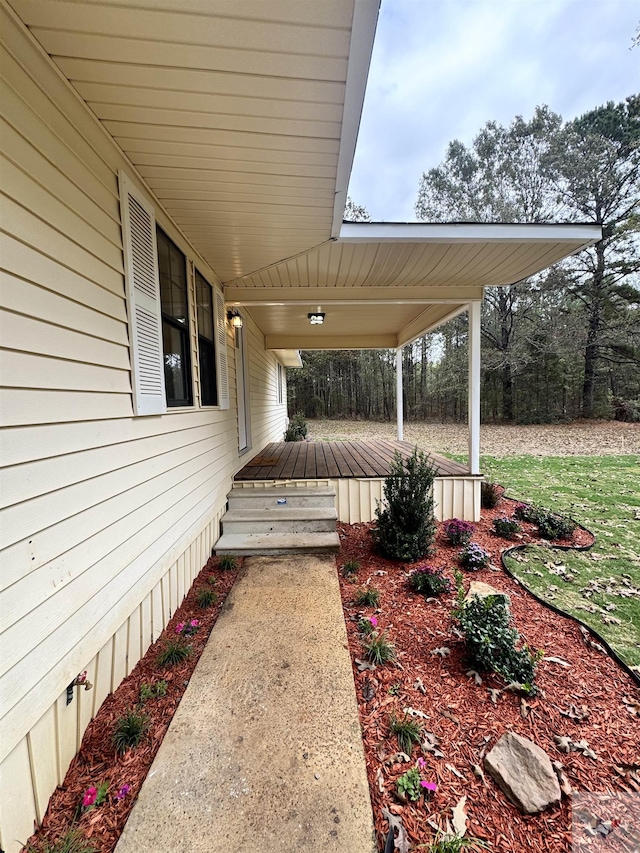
[172,270]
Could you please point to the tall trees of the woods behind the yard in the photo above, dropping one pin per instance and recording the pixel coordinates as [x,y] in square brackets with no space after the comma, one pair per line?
[562,344]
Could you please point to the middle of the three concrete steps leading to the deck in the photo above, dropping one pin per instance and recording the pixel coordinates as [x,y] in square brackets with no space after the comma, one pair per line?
[280,519]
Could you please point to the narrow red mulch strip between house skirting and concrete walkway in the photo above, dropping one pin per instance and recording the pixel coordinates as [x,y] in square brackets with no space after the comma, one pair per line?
[97,760]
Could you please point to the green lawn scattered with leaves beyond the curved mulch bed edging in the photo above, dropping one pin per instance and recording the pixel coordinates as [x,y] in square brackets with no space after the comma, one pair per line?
[602,494]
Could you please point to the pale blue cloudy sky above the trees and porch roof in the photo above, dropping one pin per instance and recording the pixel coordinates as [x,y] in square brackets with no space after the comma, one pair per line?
[442,68]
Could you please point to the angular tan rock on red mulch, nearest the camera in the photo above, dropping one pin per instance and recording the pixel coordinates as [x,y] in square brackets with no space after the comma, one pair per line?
[524,773]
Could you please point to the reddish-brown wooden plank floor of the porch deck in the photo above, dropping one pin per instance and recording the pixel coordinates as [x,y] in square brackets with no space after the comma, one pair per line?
[316,460]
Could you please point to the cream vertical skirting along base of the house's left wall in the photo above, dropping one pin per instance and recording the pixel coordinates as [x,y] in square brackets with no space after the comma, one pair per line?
[31,772]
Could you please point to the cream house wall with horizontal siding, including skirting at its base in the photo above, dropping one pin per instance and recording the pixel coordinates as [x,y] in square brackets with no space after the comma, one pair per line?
[106,517]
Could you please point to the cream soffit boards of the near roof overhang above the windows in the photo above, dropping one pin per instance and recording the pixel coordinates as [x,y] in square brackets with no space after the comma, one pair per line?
[232,110]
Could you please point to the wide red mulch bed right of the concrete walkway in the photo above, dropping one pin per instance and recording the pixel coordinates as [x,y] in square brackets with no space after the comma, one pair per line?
[461,713]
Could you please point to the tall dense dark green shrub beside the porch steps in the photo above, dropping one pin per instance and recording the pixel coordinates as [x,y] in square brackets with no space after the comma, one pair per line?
[405,528]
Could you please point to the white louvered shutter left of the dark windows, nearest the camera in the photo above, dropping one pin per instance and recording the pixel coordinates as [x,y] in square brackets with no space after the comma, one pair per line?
[143,300]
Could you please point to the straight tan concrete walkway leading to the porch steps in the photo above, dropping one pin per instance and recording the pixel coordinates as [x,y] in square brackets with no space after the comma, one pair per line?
[264,753]
